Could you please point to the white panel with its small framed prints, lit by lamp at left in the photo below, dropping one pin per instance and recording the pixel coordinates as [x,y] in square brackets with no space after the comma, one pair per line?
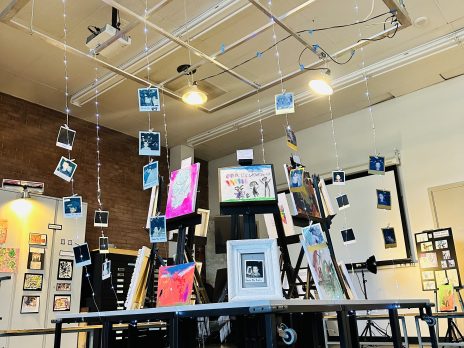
[33,216]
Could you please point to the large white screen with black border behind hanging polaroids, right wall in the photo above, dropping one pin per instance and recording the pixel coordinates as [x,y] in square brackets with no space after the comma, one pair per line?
[367,220]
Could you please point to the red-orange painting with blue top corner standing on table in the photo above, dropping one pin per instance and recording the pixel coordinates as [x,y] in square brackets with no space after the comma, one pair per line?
[175,284]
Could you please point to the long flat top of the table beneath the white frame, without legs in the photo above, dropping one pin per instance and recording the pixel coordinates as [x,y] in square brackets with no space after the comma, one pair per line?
[252,306]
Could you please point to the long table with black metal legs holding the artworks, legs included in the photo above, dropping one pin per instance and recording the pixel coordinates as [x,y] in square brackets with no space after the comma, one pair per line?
[310,310]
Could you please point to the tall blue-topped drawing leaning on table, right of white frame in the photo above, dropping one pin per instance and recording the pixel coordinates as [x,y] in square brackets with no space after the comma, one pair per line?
[323,270]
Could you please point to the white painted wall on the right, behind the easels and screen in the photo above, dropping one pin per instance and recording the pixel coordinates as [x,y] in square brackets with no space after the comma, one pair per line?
[425,126]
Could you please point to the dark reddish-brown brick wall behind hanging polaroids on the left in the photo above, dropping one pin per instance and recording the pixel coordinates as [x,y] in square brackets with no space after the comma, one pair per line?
[28,151]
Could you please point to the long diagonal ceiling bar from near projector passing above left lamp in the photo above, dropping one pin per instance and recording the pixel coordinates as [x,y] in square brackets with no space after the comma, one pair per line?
[180,42]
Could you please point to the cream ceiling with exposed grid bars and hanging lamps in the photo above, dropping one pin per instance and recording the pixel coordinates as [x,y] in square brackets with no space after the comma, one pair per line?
[33,69]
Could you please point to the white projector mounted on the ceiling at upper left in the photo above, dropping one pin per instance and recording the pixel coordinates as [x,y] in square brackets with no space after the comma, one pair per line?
[101,35]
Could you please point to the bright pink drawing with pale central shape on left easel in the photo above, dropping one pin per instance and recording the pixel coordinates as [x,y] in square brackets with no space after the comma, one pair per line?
[182,193]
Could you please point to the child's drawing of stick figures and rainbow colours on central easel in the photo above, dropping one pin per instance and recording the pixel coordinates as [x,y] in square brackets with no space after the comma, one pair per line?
[247,184]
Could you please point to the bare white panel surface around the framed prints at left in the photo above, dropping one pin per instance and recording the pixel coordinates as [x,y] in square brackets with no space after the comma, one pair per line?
[33,216]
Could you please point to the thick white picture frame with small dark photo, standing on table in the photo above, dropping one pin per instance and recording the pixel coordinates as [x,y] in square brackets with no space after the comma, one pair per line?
[253,271]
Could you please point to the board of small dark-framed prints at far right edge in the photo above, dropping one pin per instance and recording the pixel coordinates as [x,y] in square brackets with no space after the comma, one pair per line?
[437,259]
